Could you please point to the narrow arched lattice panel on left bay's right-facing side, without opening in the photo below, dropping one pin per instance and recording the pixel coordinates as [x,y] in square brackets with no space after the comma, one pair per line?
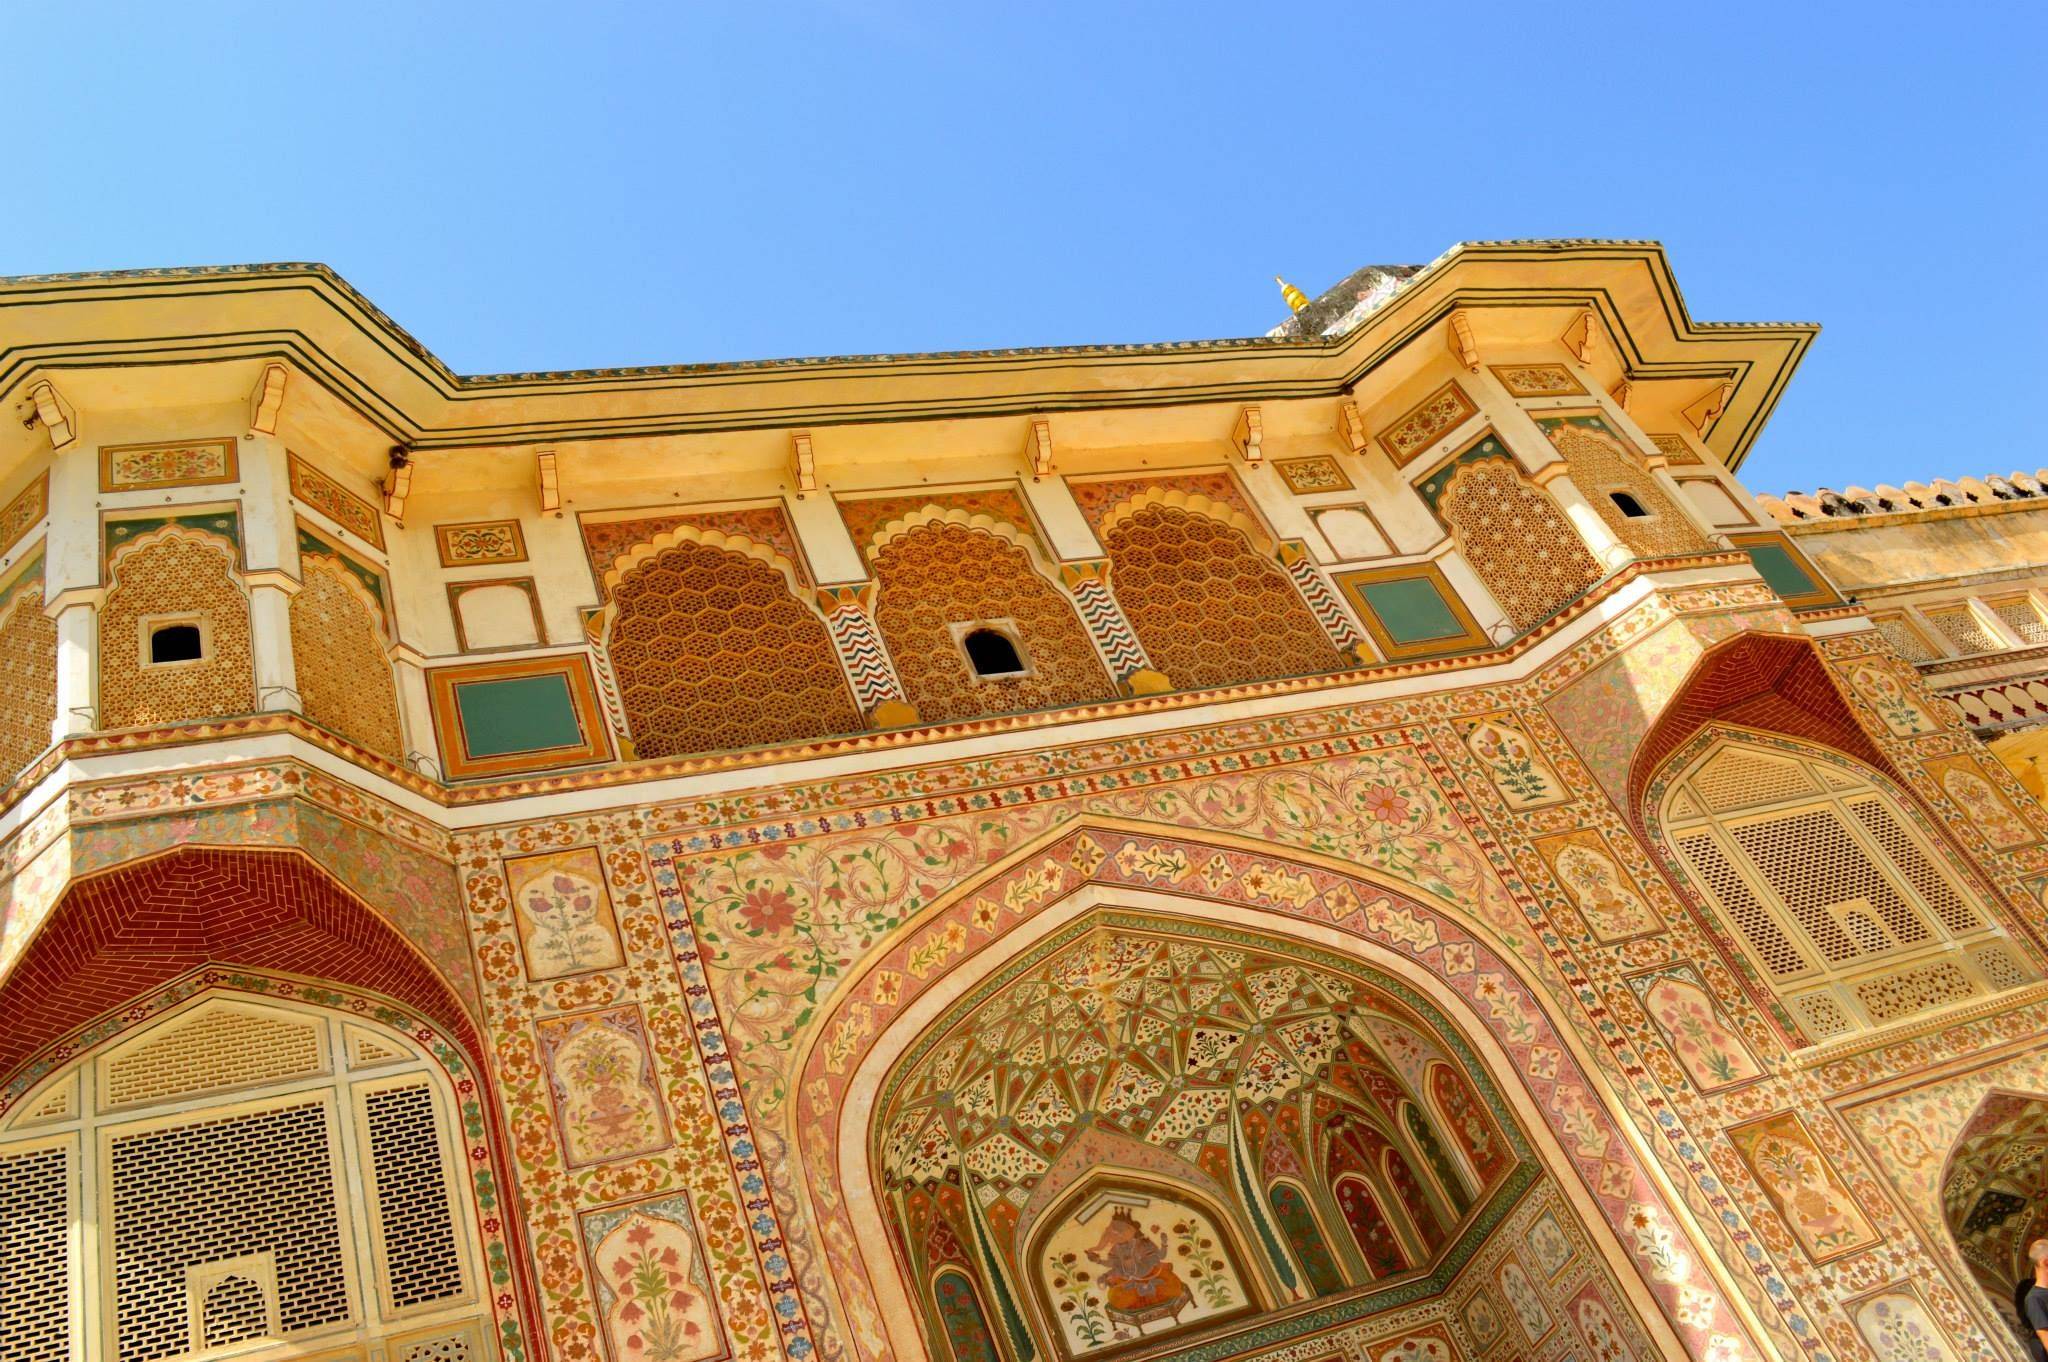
[341,661]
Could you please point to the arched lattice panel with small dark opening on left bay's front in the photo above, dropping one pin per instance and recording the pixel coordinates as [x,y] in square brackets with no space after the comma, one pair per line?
[175,574]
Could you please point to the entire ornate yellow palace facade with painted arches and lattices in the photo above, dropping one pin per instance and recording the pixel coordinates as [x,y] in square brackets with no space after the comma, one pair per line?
[1363,843]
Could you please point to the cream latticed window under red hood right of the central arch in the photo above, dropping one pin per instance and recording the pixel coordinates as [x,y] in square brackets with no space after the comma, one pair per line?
[1844,906]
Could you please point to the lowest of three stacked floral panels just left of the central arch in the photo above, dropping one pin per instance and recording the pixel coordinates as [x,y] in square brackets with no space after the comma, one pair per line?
[652,1283]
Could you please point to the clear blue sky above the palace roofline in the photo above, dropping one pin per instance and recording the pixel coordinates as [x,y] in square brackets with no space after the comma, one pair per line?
[572,185]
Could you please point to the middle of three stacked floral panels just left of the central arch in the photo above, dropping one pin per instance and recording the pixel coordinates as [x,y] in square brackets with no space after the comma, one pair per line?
[603,1084]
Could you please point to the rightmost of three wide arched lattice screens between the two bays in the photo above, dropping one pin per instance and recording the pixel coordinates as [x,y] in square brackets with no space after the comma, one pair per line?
[1205,603]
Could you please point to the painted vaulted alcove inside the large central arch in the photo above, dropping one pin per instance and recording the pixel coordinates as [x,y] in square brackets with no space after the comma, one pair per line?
[1144,1136]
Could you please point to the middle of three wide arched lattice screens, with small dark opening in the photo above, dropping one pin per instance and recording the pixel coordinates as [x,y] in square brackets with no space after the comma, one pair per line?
[939,577]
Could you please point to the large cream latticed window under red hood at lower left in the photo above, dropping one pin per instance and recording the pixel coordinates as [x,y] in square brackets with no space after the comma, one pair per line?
[245,1177]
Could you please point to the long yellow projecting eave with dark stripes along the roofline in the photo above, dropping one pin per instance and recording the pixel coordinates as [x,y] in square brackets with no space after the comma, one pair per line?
[134,339]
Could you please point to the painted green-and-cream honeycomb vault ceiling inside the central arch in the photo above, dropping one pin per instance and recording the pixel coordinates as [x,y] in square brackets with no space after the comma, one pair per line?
[1148,1037]
